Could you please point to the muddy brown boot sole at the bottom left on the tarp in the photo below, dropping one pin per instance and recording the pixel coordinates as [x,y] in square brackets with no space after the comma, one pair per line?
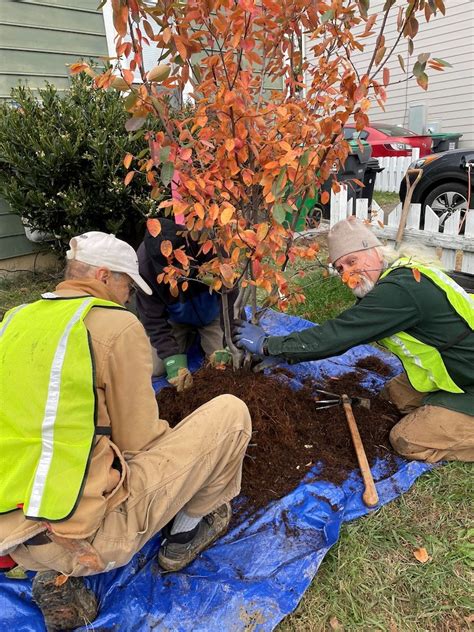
[65,607]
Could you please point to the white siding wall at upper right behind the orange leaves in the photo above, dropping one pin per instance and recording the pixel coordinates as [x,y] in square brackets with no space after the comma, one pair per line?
[450,96]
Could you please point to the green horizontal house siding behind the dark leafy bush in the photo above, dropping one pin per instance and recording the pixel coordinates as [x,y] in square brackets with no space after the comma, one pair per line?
[37,41]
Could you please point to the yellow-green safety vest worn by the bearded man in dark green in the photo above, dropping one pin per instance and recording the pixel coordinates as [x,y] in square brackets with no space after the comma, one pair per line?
[422,362]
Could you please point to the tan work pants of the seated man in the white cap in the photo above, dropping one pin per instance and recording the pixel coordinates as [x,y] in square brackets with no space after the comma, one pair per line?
[196,466]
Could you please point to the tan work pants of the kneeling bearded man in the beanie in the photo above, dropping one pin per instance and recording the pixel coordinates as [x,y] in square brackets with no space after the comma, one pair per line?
[428,433]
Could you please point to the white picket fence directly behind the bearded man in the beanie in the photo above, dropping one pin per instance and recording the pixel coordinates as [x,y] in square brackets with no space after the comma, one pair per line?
[457,251]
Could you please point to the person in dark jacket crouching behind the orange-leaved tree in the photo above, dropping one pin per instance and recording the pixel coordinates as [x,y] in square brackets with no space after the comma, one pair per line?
[172,323]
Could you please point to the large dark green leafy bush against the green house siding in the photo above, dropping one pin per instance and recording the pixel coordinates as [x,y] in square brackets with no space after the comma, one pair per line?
[61,162]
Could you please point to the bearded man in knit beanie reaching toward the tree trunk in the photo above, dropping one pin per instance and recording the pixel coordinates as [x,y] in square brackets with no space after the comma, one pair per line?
[418,313]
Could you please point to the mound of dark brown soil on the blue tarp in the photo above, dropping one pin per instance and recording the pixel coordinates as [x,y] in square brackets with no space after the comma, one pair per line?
[290,435]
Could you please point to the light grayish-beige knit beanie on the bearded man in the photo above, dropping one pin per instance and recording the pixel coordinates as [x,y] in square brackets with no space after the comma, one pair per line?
[350,235]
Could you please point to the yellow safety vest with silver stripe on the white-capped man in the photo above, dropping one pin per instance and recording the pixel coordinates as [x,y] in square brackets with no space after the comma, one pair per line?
[47,416]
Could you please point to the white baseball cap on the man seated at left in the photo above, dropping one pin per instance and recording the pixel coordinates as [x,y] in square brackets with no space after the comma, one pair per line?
[101,249]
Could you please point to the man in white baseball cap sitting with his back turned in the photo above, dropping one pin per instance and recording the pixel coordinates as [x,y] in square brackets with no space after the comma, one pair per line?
[93,471]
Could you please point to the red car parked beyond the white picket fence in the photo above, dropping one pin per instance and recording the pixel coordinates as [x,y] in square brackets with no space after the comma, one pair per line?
[391,140]
